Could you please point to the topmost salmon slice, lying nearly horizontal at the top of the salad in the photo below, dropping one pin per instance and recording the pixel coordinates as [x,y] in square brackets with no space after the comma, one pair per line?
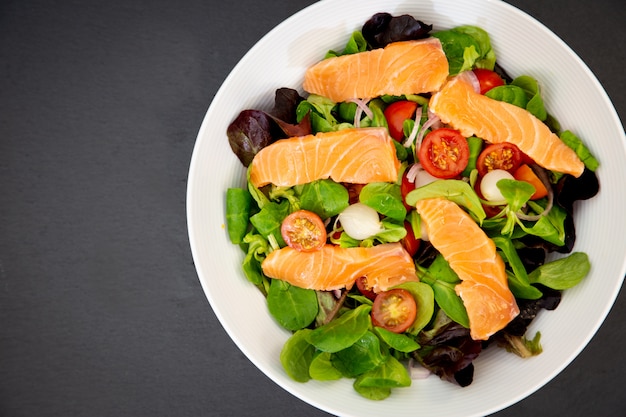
[408,67]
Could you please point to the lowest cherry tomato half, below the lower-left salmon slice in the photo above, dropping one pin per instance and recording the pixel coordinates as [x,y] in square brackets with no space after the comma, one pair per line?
[394,310]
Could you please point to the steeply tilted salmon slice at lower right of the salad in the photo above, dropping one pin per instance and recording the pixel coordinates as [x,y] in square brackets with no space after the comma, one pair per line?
[472,255]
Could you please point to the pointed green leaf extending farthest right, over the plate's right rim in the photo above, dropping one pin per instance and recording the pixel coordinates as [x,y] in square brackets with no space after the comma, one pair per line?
[563,273]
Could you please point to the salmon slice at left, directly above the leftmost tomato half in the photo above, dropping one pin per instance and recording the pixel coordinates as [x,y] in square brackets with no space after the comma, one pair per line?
[357,156]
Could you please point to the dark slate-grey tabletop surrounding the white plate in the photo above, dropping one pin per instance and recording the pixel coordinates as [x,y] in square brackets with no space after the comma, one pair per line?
[101,311]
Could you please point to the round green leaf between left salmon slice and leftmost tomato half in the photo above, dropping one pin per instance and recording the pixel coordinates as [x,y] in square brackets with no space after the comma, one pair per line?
[324,197]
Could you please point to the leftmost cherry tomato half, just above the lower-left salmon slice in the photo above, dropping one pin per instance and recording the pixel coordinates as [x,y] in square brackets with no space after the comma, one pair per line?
[304,231]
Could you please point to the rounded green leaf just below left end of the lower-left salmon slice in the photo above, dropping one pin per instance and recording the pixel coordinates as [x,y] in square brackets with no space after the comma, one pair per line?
[293,307]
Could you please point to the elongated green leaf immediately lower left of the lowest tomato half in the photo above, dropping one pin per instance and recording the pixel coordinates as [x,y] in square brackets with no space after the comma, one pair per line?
[343,331]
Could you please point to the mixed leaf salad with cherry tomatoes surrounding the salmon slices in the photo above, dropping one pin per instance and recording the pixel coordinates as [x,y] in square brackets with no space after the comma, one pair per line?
[382,338]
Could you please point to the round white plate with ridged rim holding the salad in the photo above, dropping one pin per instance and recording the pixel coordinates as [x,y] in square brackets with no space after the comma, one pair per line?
[523,46]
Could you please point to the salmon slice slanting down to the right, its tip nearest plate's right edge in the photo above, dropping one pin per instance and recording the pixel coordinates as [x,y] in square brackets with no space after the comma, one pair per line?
[472,113]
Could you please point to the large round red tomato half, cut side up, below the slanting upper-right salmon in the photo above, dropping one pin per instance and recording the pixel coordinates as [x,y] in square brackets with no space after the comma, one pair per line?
[444,153]
